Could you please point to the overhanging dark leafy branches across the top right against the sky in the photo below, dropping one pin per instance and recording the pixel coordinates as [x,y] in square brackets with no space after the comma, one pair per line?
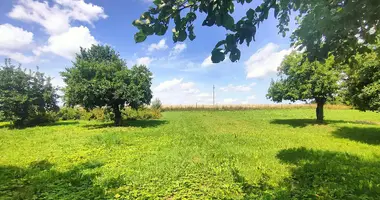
[324,27]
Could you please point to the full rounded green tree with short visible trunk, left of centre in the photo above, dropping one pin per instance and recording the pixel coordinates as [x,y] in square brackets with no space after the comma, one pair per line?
[99,77]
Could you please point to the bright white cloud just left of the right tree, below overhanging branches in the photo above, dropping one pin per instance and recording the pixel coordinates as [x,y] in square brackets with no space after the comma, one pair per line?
[265,61]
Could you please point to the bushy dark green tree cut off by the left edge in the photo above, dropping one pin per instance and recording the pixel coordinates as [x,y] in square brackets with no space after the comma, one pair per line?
[25,97]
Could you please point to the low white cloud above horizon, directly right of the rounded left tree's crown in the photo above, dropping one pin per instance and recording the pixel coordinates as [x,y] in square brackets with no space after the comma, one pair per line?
[176,91]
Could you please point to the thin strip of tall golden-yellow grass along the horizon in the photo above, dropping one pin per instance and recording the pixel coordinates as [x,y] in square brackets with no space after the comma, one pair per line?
[249,107]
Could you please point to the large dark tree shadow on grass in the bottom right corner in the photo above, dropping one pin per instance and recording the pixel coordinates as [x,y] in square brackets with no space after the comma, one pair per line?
[330,175]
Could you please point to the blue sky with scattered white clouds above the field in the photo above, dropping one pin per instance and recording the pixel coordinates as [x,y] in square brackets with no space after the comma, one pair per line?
[47,34]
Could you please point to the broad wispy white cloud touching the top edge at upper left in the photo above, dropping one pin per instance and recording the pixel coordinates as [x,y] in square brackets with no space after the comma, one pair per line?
[56,18]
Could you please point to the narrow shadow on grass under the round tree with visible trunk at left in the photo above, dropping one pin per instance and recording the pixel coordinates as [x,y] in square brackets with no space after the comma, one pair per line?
[129,123]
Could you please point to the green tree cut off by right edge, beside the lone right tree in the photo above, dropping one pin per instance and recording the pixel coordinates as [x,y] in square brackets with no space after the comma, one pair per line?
[363,82]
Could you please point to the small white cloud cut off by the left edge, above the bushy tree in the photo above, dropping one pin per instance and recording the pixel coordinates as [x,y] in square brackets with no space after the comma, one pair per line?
[14,38]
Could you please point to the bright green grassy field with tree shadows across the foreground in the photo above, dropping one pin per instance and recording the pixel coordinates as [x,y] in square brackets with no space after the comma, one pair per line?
[257,154]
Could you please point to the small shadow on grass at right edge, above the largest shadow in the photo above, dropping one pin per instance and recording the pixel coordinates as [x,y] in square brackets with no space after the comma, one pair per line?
[369,135]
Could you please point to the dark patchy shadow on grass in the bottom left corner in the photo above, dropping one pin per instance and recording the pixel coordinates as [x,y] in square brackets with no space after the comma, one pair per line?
[40,181]
